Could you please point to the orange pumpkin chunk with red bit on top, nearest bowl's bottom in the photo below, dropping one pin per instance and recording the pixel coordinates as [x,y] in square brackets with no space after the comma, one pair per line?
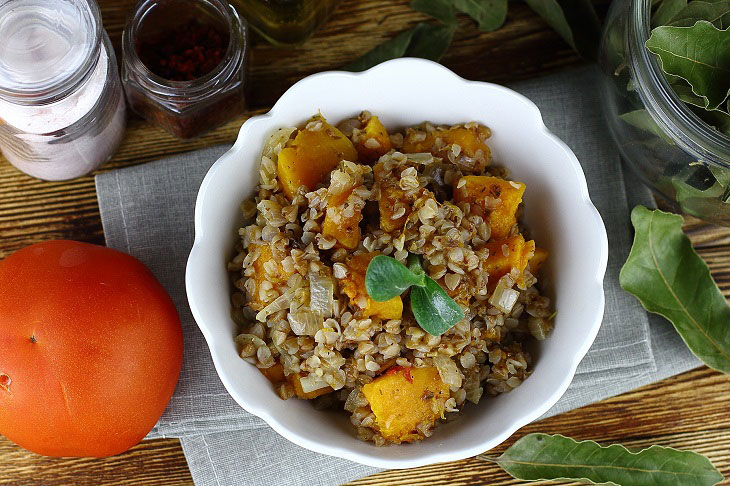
[403,398]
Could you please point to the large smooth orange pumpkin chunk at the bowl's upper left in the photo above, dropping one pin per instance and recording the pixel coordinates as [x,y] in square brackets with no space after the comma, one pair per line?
[311,156]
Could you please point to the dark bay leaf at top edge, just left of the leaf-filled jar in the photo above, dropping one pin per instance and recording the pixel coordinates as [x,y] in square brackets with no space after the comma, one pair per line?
[575,21]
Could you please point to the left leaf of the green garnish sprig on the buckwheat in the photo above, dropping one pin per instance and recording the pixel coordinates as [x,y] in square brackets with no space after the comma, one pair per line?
[386,278]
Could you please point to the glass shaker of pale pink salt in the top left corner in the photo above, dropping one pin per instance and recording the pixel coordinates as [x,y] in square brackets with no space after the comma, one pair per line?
[62,113]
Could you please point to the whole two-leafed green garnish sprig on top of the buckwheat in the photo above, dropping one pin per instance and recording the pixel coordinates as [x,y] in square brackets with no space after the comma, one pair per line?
[432,307]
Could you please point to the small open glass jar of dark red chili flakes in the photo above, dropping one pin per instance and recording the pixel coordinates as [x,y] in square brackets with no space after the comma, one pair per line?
[184,64]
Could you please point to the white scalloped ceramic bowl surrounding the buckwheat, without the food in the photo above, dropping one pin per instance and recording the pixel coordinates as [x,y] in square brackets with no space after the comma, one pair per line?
[558,212]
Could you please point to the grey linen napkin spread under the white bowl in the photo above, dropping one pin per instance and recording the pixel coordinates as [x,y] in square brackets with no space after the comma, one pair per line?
[147,211]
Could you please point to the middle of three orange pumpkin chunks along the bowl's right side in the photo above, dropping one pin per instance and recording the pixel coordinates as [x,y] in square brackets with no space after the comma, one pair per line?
[482,191]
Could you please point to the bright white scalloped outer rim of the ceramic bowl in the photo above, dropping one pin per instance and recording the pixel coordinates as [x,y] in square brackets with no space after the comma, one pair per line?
[380,456]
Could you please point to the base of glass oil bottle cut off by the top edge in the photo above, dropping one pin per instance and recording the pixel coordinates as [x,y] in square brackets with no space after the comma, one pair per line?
[285,22]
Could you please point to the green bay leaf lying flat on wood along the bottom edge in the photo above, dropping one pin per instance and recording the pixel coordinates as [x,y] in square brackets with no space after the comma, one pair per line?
[543,456]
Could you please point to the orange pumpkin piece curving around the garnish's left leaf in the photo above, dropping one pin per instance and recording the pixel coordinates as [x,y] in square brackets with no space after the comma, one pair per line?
[354,287]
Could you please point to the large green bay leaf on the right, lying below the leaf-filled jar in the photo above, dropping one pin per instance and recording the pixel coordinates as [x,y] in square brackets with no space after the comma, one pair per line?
[668,277]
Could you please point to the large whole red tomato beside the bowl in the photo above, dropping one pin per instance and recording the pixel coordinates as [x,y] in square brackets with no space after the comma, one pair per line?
[90,349]
